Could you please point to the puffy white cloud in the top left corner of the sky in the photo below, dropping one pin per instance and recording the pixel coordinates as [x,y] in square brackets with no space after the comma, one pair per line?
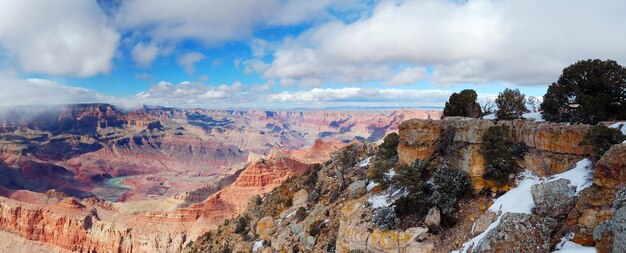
[65,37]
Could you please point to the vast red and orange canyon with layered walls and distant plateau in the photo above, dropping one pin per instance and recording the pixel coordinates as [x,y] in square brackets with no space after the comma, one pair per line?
[93,178]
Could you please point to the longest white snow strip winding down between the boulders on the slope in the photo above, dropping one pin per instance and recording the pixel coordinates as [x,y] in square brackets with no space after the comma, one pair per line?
[519,199]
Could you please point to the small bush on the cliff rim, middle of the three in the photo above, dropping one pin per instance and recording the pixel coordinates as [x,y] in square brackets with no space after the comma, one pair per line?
[511,104]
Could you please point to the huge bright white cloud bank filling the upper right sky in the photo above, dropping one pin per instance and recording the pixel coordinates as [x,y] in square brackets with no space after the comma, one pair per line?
[523,42]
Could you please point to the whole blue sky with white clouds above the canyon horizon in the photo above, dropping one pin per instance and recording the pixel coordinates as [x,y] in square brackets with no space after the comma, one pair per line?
[295,53]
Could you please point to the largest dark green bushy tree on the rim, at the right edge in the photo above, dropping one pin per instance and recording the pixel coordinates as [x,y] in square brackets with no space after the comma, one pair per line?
[587,92]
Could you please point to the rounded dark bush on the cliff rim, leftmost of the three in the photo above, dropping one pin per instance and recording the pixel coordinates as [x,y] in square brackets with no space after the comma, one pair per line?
[462,104]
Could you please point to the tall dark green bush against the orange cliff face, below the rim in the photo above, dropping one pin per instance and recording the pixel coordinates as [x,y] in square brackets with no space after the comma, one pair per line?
[495,148]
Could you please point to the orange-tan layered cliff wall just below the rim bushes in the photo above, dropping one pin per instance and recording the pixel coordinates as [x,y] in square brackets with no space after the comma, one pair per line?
[553,148]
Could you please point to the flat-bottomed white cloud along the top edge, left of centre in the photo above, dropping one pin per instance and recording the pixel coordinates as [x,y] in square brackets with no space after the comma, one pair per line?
[219,20]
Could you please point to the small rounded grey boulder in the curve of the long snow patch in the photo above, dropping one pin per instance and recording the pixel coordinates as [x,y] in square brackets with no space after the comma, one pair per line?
[554,199]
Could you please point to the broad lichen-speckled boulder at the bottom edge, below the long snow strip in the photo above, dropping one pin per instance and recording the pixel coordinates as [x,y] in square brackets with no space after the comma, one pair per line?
[518,232]
